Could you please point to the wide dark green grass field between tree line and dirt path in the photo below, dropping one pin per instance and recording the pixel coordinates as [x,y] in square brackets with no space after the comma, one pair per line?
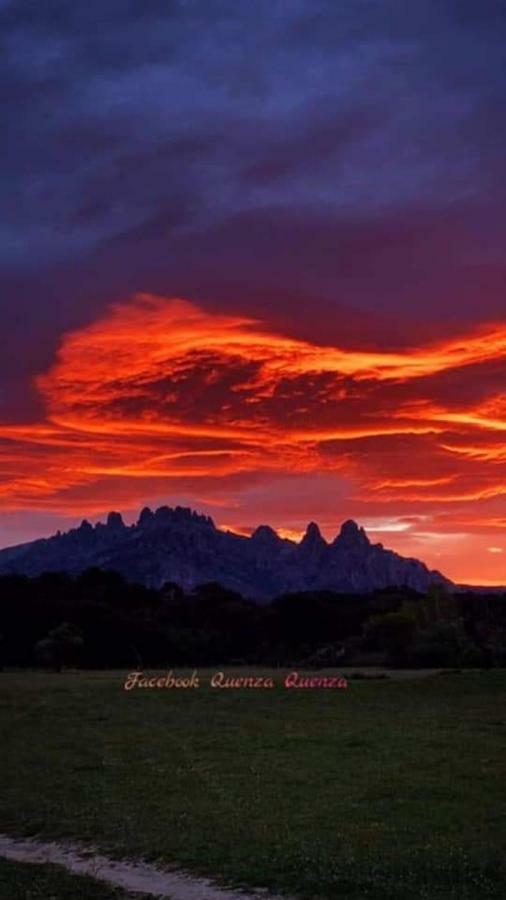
[391,790]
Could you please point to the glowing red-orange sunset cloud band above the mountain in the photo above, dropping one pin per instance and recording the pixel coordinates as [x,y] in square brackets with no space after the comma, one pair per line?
[160,397]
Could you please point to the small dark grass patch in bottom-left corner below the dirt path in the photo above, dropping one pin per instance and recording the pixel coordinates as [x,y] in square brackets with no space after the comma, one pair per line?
[19,881]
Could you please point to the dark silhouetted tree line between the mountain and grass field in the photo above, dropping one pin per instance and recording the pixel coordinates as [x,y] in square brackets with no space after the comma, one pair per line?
[98,620]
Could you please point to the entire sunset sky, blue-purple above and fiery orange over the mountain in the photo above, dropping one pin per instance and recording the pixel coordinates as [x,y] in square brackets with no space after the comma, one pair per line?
[253,261]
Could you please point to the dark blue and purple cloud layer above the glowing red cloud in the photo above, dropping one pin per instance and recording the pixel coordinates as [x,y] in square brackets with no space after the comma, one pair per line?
[276,156]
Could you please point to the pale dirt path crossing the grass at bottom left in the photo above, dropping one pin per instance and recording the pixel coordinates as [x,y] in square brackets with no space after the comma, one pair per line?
[132,877]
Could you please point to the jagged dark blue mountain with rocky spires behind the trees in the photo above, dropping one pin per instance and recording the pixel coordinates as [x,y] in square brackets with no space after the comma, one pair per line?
[181,546]
